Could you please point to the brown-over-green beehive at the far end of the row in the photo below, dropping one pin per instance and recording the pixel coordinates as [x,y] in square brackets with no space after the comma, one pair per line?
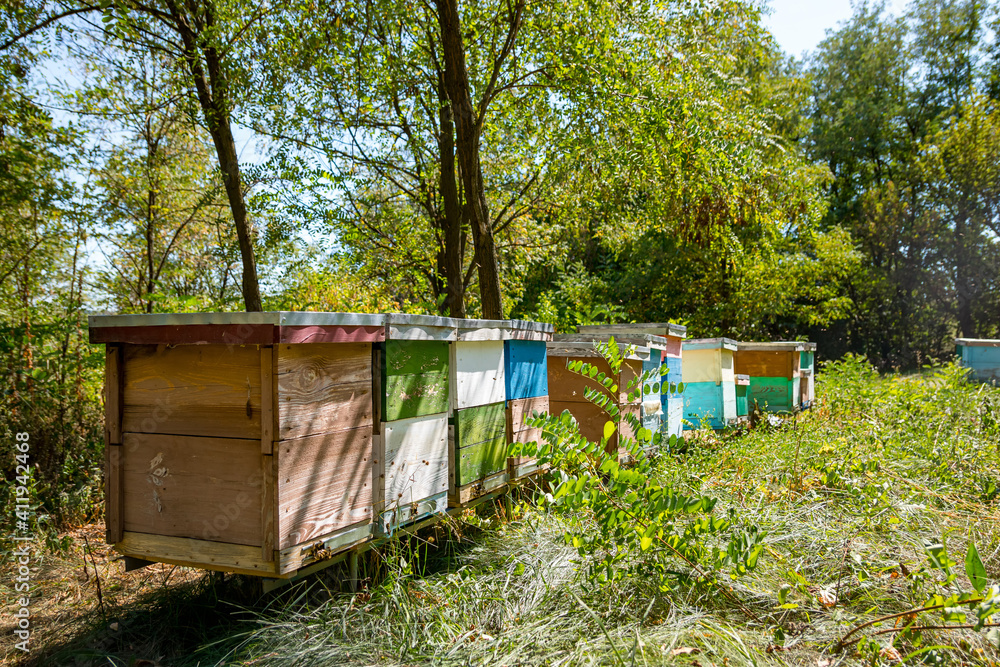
[773,367]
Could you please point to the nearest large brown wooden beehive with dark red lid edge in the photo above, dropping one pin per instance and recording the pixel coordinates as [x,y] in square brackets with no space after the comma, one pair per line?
[239,442]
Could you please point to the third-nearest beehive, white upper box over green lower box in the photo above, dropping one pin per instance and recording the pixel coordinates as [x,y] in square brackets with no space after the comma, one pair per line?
[477,434]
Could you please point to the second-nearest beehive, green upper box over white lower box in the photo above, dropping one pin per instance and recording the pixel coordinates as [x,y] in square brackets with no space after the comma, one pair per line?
[411,443]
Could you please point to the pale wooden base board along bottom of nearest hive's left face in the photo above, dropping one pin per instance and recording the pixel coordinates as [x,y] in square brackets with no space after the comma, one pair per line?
[236,558]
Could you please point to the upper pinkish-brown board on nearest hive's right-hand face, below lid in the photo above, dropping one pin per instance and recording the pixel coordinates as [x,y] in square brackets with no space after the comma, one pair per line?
[323,388]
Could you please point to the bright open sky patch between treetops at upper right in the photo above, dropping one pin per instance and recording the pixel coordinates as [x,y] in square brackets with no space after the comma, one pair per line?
[800,25]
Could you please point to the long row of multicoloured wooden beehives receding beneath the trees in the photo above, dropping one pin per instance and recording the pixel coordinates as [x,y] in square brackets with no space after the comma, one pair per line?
[262,442]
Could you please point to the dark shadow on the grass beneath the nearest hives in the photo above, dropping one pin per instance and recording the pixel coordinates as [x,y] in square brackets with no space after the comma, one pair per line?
[204,621]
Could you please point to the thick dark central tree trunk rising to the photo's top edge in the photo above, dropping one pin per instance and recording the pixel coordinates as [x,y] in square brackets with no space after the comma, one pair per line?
[456,77]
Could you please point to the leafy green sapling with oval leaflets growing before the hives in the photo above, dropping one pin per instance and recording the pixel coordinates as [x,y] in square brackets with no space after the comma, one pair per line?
[631,525]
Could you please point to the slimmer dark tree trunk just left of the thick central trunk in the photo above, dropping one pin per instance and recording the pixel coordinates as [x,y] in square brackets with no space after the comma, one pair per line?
[455,299]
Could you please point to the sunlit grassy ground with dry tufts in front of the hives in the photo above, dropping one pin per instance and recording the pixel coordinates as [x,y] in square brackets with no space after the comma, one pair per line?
[856,499]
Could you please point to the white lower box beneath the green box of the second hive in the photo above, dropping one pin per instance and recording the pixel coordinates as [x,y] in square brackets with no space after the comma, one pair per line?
[415,460]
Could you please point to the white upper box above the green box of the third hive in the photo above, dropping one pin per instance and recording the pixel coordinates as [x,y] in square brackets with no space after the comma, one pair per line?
[476,371]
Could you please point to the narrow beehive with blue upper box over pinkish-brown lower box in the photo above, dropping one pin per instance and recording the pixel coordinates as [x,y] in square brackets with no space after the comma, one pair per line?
[527,387]
